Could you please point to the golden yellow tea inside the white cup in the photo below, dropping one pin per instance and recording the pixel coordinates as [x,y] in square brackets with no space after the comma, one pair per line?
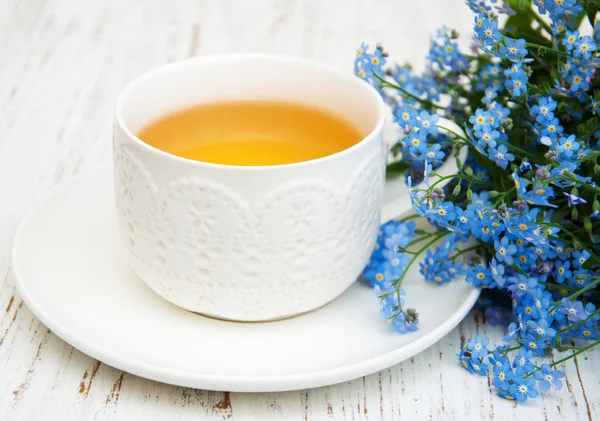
[251,133]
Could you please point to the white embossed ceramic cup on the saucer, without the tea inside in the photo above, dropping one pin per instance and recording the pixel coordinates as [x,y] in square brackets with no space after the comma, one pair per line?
[248,243]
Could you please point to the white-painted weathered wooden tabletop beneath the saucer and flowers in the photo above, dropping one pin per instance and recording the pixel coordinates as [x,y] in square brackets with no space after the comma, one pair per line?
[62,64]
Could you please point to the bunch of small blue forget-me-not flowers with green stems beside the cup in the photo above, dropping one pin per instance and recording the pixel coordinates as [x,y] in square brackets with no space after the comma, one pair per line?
[523,211]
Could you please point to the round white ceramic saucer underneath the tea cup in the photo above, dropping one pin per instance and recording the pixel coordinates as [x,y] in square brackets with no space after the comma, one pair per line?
[72,272]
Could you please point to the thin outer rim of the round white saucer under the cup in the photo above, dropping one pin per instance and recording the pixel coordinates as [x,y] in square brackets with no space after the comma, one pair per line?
[186,378]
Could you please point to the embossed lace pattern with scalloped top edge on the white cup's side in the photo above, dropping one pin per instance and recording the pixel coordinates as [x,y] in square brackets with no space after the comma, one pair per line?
[200,245]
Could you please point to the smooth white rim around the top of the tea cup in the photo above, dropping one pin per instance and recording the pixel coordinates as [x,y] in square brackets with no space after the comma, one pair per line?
[248,56]
